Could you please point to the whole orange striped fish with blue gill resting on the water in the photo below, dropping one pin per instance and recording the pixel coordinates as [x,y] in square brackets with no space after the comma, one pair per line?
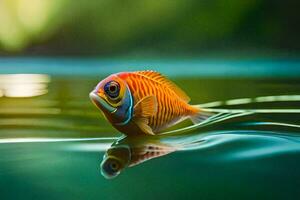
[143,102]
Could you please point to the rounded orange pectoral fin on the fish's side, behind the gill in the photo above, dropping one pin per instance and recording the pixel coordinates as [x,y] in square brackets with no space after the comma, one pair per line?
[146,107]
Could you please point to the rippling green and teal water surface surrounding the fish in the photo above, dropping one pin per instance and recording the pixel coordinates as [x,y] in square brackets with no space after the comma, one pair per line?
[52,145]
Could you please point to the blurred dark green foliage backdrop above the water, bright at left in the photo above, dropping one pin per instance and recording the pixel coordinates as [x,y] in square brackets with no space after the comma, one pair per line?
[147,27]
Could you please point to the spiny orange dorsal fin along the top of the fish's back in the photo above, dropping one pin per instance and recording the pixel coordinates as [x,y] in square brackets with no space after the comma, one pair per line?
[156,76]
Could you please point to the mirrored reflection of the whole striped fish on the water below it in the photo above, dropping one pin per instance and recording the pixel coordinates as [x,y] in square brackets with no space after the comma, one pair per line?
[128,152]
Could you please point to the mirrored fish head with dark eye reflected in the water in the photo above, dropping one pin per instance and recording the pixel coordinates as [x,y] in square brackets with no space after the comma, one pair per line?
[114,161]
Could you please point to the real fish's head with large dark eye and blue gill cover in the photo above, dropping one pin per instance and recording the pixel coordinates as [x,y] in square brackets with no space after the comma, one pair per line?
[113,97]
